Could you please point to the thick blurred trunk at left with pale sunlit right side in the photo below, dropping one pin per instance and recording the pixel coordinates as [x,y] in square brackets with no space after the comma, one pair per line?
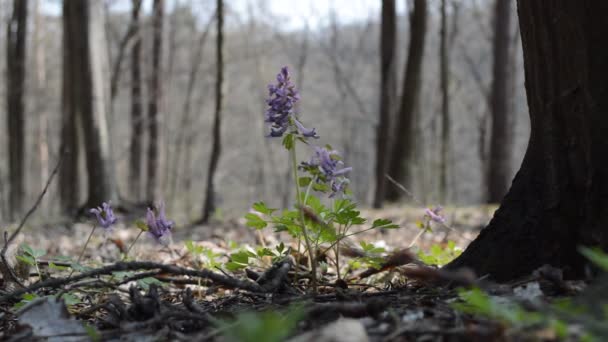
[86,93]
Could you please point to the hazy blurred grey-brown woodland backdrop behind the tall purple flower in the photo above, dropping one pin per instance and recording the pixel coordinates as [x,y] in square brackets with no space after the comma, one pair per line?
[336,63]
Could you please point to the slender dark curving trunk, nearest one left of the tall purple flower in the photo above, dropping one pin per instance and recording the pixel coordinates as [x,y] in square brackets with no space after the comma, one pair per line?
[209,205]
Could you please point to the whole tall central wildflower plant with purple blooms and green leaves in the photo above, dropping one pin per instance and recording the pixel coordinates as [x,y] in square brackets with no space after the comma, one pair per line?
[312,220]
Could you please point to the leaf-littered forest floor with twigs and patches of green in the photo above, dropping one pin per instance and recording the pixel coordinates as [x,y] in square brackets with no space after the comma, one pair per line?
[168,293]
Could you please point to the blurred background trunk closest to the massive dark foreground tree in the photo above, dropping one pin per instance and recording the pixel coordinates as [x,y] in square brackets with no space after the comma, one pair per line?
[500,142]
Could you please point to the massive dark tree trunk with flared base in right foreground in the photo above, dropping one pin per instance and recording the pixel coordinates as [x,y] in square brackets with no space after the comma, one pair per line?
[558,200]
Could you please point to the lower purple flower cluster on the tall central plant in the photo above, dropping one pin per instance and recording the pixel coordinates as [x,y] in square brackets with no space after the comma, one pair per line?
[327,167]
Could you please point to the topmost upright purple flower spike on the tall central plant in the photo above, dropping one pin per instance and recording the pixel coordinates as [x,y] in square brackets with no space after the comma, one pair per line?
[281,103]
